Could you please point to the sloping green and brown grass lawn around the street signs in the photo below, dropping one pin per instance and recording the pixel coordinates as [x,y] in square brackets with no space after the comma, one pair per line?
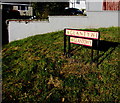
[35,70]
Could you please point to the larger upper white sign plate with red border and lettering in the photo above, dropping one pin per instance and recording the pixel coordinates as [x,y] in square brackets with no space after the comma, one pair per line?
[80,33]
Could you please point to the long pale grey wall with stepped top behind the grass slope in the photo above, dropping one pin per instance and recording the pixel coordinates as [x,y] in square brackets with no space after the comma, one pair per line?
[19,30]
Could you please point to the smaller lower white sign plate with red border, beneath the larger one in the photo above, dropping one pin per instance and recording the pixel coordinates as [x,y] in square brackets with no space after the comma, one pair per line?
[81,41]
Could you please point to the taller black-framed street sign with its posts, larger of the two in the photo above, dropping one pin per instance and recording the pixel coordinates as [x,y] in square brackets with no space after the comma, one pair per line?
[68,53]
